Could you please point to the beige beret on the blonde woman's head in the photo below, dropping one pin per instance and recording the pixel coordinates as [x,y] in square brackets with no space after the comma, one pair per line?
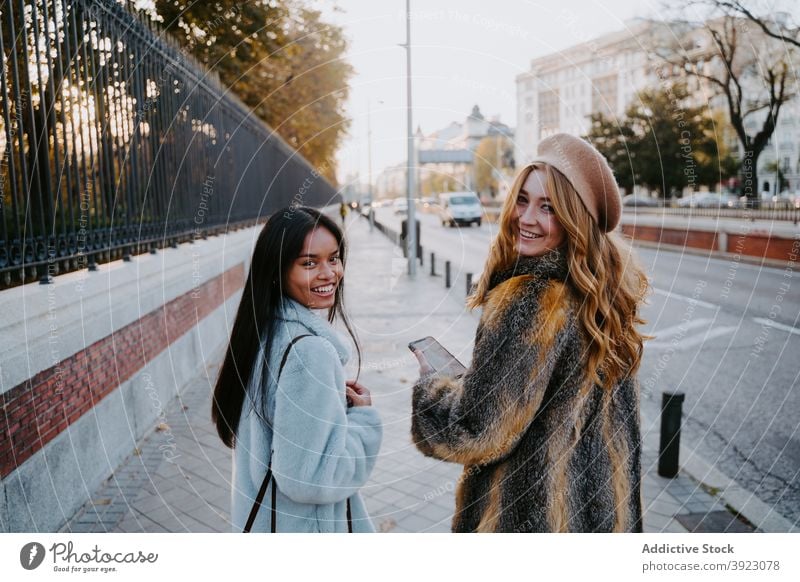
[588,172]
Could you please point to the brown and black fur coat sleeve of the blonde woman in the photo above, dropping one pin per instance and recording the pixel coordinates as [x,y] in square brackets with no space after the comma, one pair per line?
[480,417]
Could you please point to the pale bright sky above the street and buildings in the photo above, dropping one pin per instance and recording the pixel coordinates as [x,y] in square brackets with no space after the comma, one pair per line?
[464,53]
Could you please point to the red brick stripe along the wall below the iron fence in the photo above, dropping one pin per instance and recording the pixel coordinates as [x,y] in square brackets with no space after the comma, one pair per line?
[39,409]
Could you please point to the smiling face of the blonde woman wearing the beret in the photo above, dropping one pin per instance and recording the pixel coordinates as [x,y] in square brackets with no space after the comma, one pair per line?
[538,229]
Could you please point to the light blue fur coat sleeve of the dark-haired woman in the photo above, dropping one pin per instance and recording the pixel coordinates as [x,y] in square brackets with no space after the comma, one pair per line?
[323,451]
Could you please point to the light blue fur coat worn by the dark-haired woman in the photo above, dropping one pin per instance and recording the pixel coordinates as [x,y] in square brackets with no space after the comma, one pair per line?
[323,451]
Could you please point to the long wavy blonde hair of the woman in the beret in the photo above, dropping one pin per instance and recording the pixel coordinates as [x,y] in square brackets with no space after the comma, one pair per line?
[603,272]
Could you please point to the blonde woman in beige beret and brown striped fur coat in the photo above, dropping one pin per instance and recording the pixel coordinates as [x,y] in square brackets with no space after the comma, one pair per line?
[546,419]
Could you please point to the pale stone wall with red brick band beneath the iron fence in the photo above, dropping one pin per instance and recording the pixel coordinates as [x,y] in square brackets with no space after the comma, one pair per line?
[89,362]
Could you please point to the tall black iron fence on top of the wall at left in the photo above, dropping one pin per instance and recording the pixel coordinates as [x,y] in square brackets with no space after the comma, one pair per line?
[114,142]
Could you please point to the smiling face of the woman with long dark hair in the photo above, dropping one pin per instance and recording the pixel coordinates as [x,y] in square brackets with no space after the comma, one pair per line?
[316,273]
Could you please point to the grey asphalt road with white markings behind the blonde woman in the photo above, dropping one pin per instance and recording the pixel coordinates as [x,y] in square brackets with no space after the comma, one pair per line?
[727,335]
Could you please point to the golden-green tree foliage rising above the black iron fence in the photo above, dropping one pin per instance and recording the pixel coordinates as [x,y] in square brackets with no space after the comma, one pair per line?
[280,58]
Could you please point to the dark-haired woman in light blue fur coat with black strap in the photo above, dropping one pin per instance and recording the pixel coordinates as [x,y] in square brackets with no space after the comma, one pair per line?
[281,399]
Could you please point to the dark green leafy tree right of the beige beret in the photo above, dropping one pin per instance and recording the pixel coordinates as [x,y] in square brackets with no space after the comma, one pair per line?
[664,144]
